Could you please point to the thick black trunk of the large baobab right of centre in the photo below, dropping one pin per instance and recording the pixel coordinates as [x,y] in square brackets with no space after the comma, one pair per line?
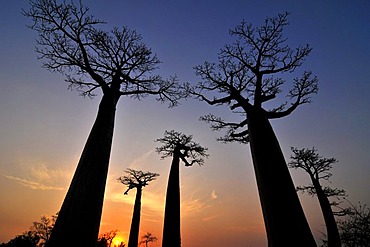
[285,222]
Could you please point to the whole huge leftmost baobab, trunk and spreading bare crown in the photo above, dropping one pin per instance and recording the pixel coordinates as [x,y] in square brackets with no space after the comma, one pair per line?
[115,63]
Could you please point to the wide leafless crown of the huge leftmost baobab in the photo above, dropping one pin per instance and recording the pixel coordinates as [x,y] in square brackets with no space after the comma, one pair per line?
[71,42]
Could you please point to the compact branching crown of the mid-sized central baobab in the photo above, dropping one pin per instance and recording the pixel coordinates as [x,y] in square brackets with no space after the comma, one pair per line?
[189,152]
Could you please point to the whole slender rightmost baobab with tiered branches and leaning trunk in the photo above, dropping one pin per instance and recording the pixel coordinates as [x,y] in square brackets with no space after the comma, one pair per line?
[318,168]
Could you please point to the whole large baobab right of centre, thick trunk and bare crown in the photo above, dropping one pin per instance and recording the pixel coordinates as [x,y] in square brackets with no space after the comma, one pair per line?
[249,74]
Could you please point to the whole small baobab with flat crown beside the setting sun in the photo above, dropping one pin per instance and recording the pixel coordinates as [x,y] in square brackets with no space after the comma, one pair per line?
[136,180]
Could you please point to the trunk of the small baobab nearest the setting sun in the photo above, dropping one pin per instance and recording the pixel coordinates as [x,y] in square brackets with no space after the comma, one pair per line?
[135,222]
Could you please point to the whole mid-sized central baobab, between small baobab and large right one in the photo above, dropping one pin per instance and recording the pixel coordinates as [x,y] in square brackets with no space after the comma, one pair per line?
[180,147]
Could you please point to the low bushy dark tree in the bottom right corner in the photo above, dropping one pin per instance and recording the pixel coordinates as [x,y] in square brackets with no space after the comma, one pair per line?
[355,227]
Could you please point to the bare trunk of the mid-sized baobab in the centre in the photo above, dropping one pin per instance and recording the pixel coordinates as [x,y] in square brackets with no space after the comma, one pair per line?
[171,228]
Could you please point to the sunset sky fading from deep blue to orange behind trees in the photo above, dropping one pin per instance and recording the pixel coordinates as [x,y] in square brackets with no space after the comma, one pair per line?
[43,126]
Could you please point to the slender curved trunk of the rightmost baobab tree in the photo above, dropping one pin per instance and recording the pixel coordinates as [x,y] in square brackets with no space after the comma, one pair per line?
[331,225]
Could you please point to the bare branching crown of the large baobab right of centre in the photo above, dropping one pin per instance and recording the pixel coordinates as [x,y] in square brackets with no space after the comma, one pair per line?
[248,74]
